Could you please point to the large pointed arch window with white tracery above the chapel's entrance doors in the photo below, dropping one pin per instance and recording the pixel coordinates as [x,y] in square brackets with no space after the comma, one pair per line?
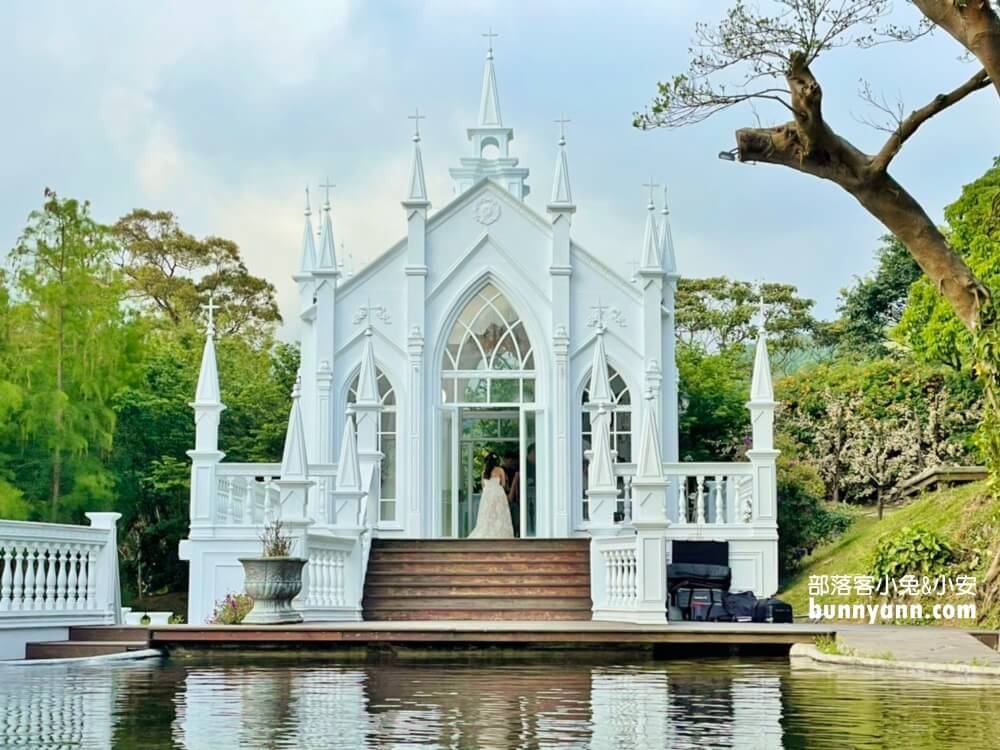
[488,358]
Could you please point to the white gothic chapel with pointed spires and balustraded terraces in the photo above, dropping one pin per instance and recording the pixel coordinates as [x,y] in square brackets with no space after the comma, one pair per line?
[486,328]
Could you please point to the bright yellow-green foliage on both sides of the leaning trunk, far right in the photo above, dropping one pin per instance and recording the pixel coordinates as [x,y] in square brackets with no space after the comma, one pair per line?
[929,326]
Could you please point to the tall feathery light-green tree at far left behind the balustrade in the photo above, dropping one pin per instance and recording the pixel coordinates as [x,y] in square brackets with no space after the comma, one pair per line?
[74,345]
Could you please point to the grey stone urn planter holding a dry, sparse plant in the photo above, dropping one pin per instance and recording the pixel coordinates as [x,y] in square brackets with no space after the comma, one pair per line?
[273,580]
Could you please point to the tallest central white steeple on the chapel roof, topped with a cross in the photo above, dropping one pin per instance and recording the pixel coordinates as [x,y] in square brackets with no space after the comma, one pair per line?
[490,142]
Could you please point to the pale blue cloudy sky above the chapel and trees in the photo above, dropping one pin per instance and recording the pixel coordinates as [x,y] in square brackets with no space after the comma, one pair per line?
[223,111]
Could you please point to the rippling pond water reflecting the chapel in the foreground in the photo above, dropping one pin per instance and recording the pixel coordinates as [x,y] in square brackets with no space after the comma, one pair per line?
[284,702]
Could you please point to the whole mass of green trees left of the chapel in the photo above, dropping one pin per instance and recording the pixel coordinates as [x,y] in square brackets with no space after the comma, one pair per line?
[100,347]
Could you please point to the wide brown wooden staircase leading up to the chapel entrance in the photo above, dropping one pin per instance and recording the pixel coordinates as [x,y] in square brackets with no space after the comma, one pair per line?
[478,579]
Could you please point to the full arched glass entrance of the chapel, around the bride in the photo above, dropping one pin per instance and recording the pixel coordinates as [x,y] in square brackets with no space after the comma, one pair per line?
[488,406]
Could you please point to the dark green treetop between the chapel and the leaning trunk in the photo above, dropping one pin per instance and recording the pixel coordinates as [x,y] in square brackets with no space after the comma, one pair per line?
[873,306]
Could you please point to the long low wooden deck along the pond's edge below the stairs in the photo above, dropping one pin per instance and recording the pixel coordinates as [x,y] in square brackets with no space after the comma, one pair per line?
[417,634]
